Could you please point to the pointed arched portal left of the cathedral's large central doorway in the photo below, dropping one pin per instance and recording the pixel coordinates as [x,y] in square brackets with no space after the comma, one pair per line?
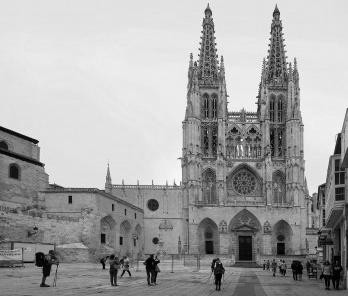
[208,236]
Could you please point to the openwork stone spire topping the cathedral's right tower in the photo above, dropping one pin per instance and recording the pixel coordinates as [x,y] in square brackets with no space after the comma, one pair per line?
[276,63]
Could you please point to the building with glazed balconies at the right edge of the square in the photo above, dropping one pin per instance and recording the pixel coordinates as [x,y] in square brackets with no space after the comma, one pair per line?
[333,205]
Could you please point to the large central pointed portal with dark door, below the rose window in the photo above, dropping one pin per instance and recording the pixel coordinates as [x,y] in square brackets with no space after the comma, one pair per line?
[245,228]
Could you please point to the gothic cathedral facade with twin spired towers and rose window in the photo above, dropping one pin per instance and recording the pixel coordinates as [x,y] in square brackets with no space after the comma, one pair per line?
[243,182]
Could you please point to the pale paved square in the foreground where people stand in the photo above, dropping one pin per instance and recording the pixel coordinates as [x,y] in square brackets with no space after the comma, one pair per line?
[90,279]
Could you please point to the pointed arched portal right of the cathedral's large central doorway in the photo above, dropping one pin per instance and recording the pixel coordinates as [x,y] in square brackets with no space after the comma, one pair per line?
[281,238]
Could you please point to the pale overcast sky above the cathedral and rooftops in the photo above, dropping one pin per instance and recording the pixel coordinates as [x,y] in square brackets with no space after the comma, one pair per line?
[105,81]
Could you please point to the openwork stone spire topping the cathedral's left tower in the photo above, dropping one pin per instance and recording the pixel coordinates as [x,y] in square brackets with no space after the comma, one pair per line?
[208,64]
